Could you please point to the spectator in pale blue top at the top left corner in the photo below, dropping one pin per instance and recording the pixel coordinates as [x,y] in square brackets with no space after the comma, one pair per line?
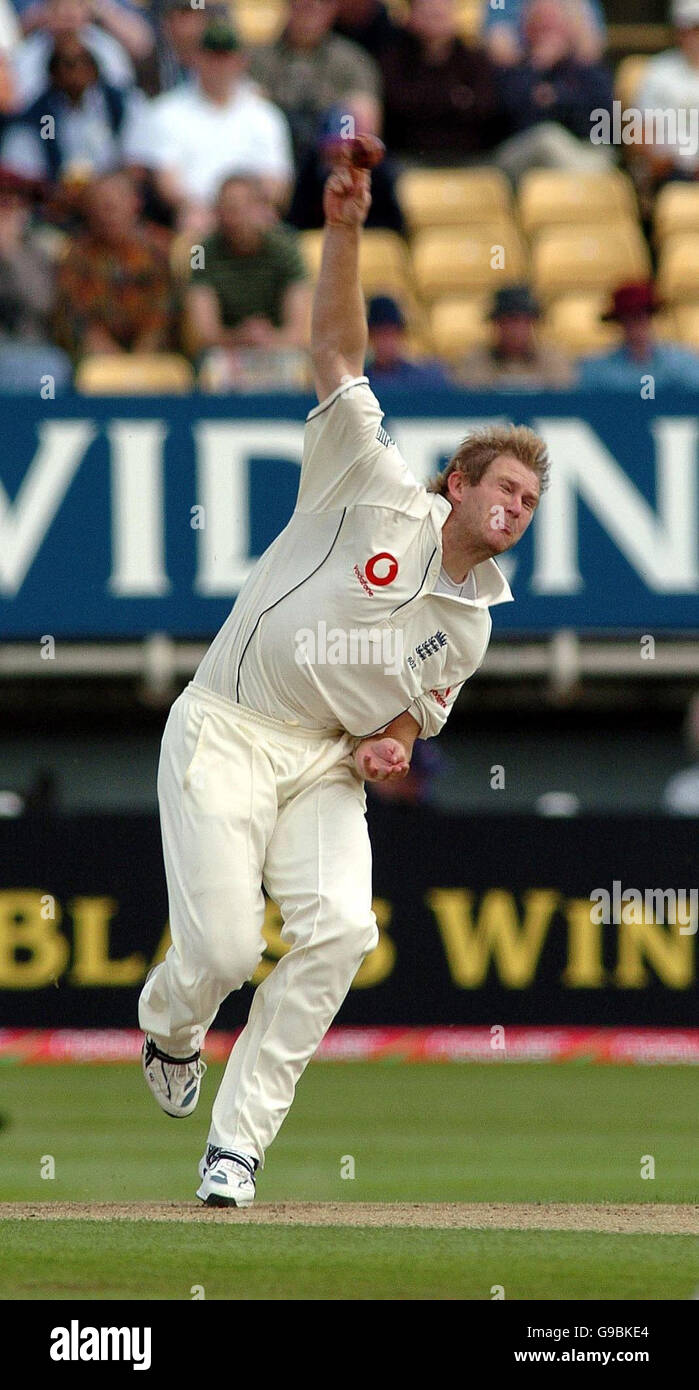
[67,19]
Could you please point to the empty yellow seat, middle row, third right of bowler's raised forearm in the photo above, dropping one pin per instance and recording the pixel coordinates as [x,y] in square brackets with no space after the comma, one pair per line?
[577,259]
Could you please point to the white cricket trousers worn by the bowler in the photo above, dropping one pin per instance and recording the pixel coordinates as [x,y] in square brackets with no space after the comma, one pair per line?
[248,803]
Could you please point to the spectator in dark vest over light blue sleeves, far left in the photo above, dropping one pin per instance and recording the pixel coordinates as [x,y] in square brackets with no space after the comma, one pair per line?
[90,117]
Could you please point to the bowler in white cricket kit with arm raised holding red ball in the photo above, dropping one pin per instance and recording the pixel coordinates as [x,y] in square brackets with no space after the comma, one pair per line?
[351,640]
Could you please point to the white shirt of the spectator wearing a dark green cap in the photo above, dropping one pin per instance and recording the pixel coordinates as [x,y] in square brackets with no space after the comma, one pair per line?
[202,141]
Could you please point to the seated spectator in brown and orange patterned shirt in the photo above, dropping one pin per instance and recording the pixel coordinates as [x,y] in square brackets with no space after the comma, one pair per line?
[115,286]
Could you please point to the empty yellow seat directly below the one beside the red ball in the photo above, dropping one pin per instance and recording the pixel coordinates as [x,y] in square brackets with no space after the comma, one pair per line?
[477,259]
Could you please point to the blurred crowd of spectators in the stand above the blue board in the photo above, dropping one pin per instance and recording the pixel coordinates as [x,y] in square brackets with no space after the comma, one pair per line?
[162,187]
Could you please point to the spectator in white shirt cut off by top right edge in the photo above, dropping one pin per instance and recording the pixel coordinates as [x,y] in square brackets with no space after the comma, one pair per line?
[672,85]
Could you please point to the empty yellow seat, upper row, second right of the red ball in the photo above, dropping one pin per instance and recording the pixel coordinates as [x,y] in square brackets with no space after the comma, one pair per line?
[551,198]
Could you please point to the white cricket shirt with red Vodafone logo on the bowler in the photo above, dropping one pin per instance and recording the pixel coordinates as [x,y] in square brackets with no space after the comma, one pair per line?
[341,626]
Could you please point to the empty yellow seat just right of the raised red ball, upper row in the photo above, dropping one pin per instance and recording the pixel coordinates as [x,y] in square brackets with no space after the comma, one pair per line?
[454,198]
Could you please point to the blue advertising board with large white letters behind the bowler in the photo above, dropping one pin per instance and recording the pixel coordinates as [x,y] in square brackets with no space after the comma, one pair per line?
[122,518]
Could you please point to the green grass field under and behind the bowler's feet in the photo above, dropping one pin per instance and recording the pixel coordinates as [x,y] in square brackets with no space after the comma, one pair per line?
[426,1134]
